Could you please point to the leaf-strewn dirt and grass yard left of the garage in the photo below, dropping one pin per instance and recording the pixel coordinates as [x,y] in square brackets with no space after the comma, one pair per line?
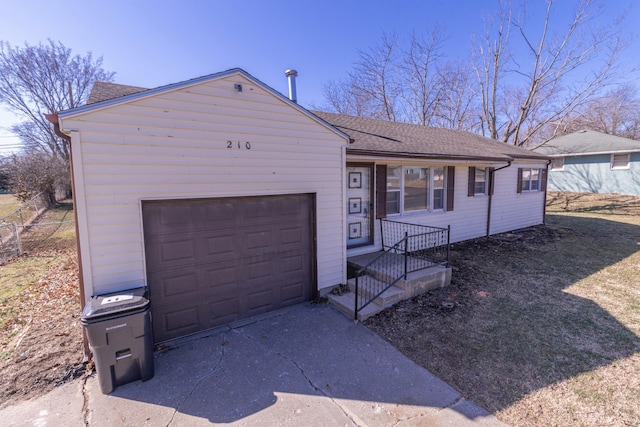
[41,337]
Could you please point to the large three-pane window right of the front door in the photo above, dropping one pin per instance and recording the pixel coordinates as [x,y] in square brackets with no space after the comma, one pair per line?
[412,188]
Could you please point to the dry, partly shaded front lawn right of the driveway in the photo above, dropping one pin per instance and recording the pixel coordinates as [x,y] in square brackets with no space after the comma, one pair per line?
[545,329]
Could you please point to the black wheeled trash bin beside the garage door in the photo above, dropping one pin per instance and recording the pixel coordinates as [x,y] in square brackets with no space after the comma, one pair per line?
[118,327]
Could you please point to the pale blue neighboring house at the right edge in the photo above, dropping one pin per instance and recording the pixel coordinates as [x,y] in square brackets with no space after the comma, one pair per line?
[593,162]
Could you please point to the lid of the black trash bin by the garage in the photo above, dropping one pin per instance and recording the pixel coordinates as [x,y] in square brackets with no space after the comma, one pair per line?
[115,304]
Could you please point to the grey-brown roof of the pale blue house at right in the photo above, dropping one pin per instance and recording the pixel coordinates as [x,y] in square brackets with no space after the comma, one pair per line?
[587,142]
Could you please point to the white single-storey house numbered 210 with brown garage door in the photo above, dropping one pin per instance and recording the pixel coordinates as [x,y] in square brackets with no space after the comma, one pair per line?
[229,200]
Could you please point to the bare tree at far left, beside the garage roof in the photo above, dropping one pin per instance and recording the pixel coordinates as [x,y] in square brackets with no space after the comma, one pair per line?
[45,79]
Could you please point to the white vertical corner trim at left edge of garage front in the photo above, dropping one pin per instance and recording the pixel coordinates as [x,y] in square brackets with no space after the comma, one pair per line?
[80,205]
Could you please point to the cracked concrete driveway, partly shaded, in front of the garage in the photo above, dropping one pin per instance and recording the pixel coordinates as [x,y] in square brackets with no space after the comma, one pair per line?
[304,366]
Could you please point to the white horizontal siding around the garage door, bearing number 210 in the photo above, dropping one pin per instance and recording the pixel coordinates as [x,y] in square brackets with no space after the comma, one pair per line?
[174,145]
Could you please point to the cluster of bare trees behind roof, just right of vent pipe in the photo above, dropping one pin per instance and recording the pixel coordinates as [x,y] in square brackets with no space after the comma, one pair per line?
[413,85]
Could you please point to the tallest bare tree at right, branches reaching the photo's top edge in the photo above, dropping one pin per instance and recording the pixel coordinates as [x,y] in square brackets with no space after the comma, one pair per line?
[558,73]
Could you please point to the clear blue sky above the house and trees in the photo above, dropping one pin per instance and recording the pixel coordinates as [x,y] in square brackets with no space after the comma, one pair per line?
[152,43]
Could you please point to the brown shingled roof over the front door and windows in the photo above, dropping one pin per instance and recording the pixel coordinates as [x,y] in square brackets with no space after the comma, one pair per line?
[392,139]
